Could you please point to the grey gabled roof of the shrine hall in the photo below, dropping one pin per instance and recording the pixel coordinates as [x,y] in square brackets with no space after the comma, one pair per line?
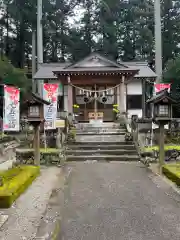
[94,63]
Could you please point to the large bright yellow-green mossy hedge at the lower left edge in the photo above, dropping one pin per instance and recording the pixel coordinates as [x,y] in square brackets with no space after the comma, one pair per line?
[15,182]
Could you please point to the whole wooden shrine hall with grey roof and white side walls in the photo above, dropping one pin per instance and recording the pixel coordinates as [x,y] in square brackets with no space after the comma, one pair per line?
[96,83]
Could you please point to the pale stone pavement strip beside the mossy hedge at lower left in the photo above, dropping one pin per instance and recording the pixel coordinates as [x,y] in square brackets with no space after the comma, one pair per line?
[27,212]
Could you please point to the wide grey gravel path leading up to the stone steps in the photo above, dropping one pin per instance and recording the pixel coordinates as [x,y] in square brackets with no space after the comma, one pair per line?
[117,201]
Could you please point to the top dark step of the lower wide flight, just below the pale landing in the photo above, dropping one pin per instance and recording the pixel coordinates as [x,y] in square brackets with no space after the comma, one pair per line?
[98,143]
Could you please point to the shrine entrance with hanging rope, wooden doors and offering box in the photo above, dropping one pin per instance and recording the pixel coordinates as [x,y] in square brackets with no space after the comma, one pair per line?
[95,103]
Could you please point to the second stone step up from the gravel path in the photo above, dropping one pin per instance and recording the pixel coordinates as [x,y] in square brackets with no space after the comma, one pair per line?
[119,152]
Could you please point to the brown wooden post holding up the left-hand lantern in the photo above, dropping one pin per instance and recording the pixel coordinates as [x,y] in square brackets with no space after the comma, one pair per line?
[36,145]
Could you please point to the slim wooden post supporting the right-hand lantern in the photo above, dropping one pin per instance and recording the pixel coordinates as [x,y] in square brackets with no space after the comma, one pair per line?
[161,147]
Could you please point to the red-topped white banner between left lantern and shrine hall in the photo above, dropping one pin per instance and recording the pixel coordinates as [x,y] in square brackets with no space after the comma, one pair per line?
[50,93]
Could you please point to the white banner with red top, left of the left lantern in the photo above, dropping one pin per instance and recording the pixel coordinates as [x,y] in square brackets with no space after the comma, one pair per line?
[11,113]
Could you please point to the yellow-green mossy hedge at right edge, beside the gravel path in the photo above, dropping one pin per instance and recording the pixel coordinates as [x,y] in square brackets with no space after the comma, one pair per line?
[172,171]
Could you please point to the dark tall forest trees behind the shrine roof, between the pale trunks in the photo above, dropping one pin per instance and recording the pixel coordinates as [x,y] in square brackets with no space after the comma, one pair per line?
[72,29]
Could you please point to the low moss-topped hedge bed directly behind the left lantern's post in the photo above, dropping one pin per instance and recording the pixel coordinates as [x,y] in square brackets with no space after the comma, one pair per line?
[49,156]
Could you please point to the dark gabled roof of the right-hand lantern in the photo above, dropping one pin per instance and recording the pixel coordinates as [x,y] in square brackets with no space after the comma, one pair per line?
[164,96]
